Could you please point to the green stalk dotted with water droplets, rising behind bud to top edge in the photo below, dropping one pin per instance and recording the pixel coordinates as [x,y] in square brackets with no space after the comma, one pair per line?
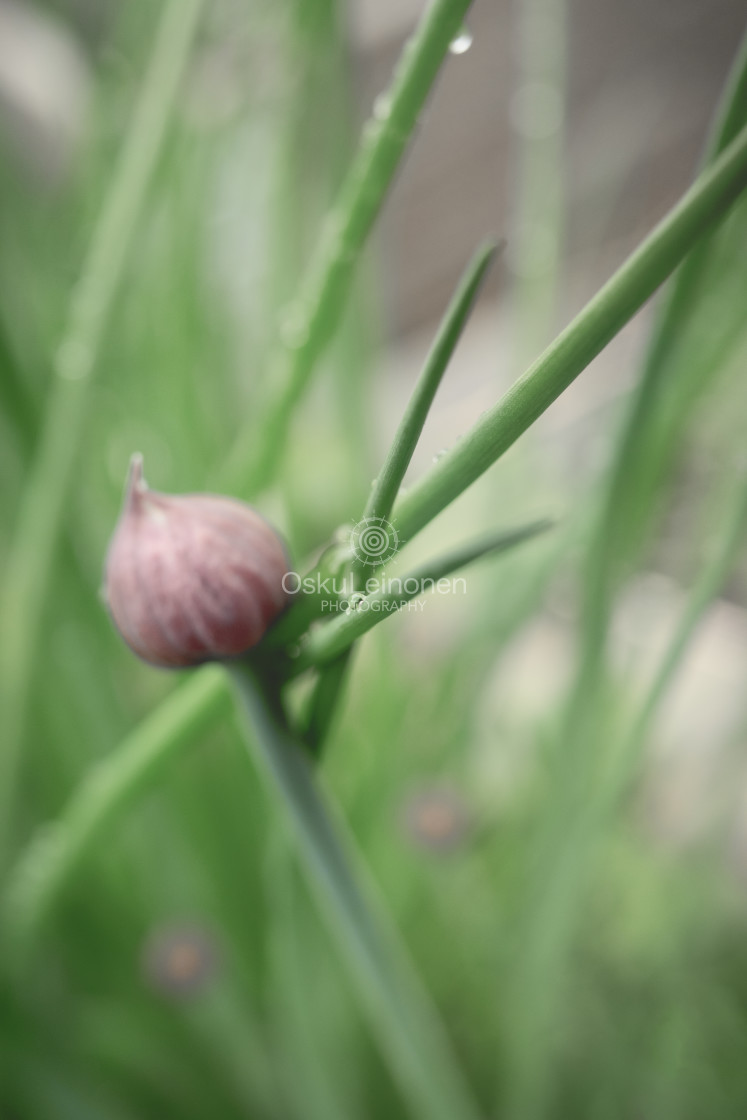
[311,321]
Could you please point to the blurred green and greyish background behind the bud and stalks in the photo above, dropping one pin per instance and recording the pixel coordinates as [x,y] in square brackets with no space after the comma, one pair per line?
[589,955]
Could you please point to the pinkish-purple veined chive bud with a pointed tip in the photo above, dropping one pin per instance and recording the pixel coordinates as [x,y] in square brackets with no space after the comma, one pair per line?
[192,577]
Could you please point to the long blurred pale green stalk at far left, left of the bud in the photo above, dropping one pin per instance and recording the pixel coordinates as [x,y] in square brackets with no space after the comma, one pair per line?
[26,580]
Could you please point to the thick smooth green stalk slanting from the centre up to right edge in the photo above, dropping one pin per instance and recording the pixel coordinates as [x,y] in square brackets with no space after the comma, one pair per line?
[704,206]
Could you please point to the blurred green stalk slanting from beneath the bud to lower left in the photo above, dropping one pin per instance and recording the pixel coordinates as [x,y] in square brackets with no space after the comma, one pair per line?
[110,789]
